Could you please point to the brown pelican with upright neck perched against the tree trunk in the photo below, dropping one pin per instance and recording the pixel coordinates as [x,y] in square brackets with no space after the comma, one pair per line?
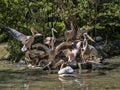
[69,34]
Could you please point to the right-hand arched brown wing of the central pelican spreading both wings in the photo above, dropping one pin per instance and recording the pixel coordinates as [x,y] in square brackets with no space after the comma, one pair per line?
[63,45]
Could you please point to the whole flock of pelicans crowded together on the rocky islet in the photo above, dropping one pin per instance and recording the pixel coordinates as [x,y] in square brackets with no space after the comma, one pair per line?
[72,50]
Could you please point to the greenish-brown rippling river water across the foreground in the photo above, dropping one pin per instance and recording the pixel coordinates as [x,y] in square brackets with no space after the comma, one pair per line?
[15,76]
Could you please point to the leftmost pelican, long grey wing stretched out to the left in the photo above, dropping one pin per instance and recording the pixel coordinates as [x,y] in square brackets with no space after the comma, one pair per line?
[25,40]
